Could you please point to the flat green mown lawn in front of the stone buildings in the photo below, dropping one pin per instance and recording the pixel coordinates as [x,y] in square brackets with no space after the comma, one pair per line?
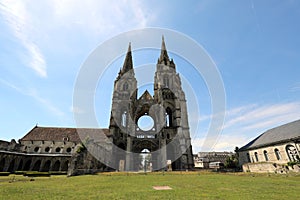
[185,185]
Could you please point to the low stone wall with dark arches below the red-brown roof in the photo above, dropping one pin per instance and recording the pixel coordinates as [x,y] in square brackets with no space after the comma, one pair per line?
[32,156]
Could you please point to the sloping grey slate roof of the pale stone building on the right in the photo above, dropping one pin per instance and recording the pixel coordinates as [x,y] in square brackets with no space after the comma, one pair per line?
[276,135]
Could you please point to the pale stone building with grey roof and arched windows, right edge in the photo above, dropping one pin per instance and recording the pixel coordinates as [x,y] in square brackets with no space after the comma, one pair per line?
[272,150]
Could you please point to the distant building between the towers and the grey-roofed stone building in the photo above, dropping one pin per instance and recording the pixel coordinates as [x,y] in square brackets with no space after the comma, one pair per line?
[202,159]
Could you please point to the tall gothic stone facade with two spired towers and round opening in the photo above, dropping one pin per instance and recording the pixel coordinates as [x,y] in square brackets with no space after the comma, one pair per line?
[166,138]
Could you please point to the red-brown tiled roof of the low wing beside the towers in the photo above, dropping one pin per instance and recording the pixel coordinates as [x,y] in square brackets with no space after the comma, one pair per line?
[62,134]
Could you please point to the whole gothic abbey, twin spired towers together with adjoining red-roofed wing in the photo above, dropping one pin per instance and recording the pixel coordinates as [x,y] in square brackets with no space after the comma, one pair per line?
[61,149]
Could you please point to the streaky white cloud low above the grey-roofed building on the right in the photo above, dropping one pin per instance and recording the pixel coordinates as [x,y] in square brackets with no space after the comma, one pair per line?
[247,122]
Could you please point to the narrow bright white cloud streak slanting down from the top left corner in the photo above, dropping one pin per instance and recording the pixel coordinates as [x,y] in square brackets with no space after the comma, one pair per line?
[19,20]
